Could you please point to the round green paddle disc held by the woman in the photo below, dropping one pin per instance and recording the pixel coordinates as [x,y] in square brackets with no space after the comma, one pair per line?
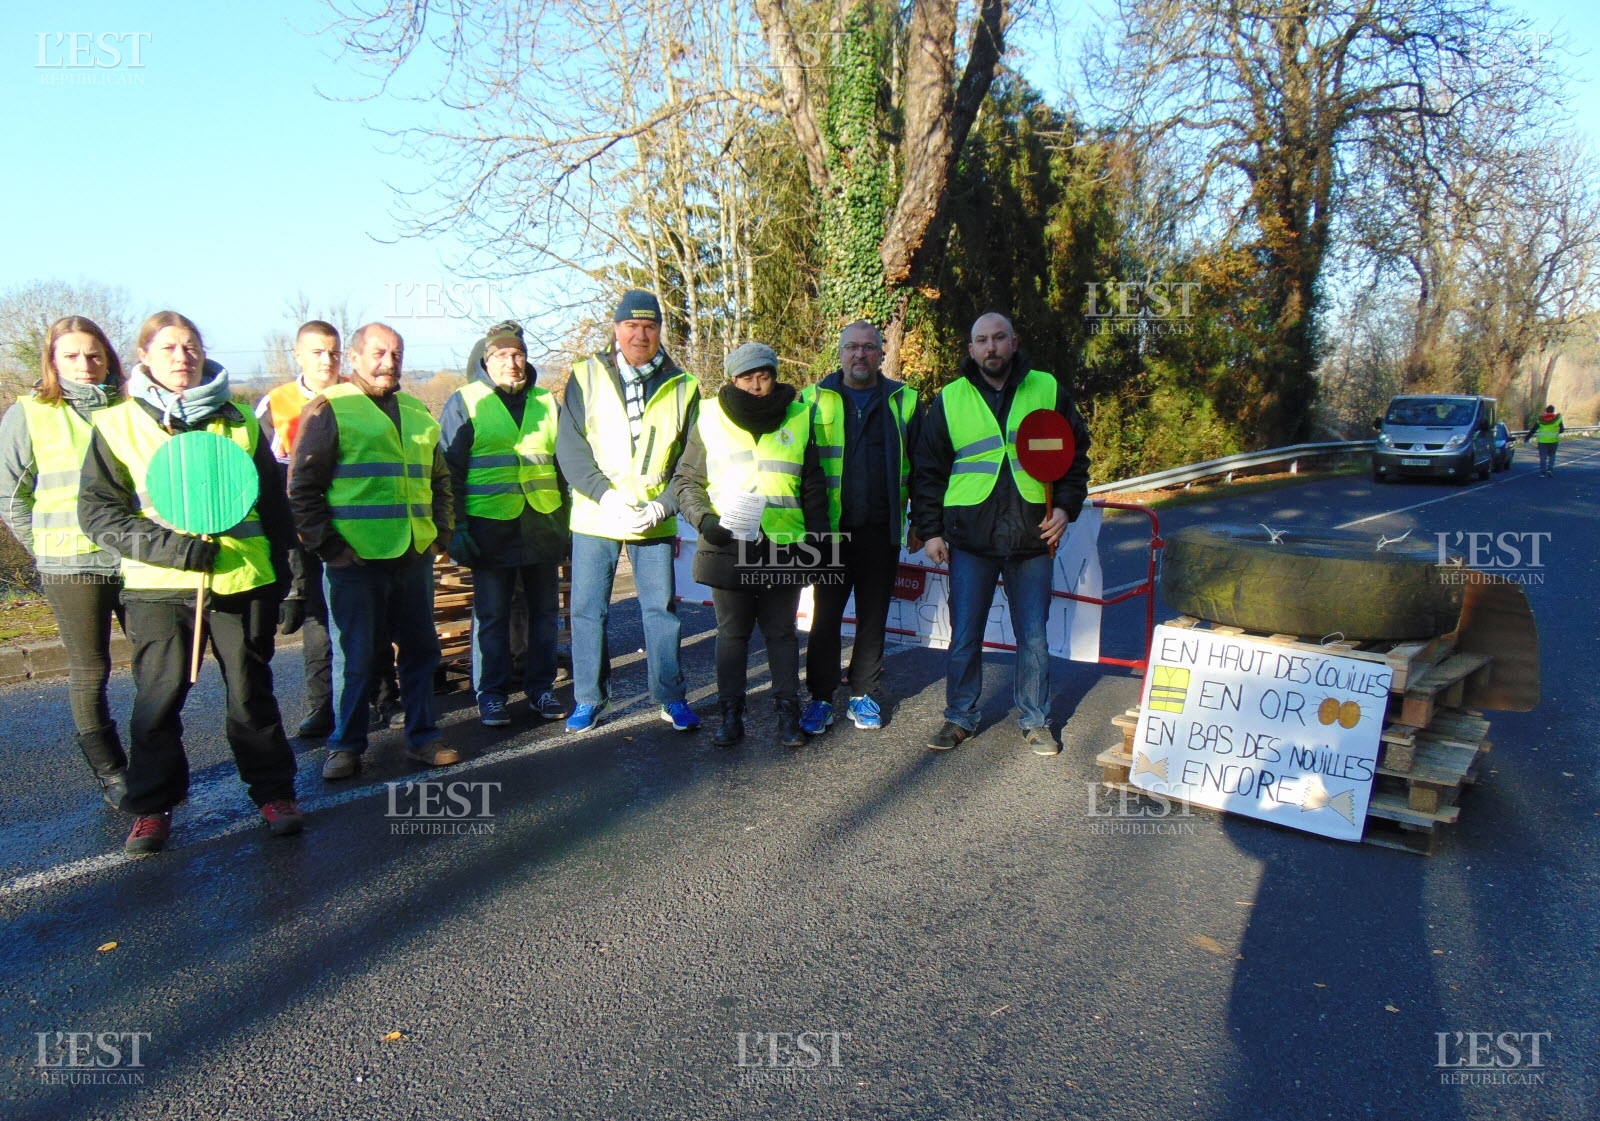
[202,482]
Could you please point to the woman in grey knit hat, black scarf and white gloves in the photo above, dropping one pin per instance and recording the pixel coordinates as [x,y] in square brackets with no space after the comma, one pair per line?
[751,463]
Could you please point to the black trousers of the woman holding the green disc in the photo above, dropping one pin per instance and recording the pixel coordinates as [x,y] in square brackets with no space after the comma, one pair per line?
[241,631]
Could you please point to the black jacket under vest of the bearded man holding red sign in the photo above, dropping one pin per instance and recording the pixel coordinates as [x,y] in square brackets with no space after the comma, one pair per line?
[1004,525]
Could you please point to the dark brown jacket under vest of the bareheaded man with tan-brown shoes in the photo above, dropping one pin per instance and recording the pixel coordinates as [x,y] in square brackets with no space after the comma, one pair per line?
[311,477]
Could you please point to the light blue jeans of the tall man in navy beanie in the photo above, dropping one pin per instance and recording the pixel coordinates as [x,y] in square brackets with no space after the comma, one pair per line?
[594,570]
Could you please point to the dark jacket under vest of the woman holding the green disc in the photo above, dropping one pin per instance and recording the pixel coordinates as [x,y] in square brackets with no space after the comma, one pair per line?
[108,513]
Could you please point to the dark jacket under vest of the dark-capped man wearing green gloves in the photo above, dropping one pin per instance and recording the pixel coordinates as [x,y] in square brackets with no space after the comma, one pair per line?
[530,538]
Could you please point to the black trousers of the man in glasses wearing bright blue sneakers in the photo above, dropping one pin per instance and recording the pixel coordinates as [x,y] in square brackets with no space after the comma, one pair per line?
[870,562]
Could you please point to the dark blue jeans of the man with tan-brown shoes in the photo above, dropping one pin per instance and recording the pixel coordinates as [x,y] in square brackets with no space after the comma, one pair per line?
[359,597]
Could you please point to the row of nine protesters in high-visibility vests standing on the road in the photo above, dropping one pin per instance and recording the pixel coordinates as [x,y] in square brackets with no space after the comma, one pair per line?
[361,487]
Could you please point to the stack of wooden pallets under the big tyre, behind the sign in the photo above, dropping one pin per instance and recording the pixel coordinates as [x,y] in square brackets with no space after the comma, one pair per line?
[1431,748]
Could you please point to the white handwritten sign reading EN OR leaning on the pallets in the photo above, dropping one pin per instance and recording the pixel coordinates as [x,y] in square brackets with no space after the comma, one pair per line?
[1262,730]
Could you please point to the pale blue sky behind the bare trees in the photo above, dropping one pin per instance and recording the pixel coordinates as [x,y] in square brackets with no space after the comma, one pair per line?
[215,180]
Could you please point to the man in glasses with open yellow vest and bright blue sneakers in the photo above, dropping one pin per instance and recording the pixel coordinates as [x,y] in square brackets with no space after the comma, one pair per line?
[866,428]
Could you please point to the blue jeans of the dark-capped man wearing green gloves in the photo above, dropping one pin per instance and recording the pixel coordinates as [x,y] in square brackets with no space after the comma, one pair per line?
[492,594]
